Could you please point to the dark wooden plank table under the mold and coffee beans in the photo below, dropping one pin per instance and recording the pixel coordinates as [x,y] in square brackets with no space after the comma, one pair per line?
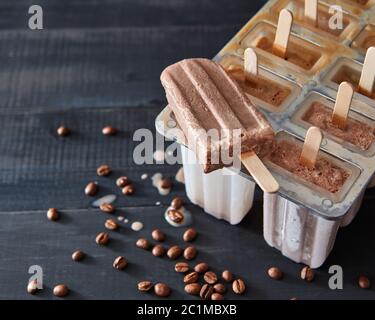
[98,63]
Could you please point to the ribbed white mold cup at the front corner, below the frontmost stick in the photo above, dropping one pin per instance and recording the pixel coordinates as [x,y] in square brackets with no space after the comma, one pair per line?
[299,234]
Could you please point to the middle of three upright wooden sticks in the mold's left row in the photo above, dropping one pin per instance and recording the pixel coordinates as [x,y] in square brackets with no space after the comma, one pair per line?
[284,27]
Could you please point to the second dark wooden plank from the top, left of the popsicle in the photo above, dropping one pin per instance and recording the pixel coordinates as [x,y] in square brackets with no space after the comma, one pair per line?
[59,69]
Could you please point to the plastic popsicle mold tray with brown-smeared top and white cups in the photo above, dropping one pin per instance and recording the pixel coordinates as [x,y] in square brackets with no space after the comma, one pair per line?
[323,54]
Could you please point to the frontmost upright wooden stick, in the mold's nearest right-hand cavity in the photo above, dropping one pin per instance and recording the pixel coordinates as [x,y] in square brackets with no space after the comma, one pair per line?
[311,147]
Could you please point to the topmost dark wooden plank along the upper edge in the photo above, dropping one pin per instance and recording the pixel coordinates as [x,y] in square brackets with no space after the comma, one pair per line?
[119,13]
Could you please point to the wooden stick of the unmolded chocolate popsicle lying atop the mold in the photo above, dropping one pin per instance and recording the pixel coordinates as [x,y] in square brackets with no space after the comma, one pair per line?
[259,172]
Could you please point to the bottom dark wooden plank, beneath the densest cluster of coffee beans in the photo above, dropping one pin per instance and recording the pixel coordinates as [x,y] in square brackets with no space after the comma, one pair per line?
[28,238]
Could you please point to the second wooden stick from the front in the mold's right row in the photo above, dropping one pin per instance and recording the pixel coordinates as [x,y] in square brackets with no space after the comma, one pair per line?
[342,105]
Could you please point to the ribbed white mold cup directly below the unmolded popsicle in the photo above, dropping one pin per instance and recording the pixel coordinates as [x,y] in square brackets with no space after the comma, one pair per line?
[221,193]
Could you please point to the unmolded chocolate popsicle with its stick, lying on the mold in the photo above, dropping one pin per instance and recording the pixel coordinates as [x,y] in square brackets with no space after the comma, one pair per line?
[203,97]
